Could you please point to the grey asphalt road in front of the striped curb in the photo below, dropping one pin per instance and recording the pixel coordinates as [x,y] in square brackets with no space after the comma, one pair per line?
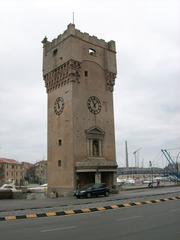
[153,221]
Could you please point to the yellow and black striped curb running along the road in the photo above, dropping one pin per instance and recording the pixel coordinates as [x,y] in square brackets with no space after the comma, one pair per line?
[85,210]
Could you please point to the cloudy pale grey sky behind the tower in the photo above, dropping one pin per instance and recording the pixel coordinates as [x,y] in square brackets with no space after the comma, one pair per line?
[147,90]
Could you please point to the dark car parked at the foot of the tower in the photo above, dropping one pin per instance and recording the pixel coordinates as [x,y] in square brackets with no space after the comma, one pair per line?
[92,190]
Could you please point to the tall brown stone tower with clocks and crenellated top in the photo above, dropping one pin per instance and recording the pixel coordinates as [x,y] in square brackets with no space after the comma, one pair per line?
[79,71]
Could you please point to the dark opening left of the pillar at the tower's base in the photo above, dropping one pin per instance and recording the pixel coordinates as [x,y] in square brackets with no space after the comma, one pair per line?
[84,178]
